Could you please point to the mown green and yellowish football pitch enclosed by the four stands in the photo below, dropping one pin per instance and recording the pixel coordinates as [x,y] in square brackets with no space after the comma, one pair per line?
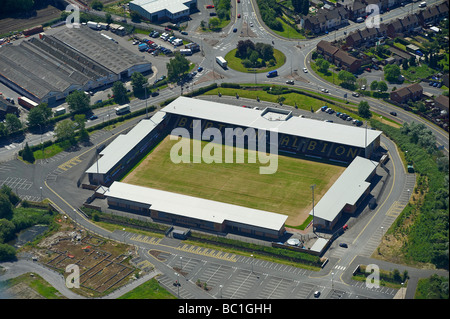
[286,192]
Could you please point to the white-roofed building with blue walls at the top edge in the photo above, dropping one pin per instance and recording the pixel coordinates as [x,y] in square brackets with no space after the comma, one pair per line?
[163,10]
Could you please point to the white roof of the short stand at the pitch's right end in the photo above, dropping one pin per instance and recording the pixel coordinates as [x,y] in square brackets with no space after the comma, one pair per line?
[347,189]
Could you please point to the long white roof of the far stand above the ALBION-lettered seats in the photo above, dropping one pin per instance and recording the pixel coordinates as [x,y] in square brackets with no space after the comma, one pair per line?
[246,117]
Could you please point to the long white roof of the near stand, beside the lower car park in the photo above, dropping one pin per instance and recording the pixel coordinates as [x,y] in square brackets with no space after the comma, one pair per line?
[194,207]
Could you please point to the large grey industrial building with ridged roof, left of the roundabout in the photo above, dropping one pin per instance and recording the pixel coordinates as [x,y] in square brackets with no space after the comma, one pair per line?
[49,68]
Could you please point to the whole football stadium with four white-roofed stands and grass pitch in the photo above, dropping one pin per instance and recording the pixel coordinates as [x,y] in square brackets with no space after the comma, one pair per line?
[217,183]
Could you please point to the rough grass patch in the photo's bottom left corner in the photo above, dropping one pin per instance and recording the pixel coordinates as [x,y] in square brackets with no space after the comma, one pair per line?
[30,286]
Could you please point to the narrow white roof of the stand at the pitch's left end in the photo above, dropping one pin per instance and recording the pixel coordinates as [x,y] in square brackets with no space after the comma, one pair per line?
[123,144]
